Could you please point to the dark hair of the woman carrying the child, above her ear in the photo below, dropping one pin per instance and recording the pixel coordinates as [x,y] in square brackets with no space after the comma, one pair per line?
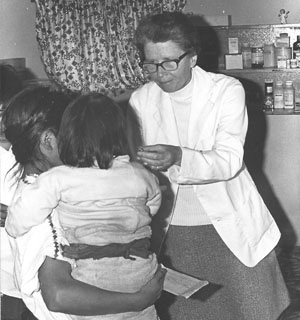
[28,115]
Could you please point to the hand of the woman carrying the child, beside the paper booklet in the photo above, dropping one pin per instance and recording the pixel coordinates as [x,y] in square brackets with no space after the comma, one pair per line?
[151,291]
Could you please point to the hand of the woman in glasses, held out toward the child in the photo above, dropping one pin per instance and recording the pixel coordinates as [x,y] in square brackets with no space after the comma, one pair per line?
[160,156]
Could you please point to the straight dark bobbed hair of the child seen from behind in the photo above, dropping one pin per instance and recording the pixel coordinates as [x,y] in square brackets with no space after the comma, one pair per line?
[93,130]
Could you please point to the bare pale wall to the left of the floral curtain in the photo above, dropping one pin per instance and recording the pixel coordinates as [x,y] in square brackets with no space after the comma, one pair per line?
[17,34]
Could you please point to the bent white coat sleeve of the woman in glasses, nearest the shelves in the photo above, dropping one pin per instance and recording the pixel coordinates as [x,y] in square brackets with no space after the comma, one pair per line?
[220,157]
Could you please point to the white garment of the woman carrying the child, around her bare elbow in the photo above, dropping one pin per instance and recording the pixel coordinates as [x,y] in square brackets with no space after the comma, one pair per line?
[31,250]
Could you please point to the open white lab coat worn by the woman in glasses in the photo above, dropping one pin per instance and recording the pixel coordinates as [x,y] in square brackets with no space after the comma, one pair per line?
[212,161]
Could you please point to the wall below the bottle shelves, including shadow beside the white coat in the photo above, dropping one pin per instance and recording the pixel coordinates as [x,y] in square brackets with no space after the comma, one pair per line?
[272,157]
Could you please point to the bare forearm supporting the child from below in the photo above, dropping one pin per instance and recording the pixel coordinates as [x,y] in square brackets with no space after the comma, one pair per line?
[64,294]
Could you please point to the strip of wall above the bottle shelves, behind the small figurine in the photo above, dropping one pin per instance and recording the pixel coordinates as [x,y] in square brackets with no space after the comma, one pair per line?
[247,12]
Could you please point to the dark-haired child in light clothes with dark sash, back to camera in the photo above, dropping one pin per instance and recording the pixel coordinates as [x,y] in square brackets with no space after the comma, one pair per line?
[104,202]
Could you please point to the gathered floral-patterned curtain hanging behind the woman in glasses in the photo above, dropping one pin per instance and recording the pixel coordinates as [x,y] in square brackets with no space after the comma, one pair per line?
[87,45]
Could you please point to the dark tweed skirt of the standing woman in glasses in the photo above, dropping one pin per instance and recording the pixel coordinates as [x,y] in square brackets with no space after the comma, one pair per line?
[235,292]
